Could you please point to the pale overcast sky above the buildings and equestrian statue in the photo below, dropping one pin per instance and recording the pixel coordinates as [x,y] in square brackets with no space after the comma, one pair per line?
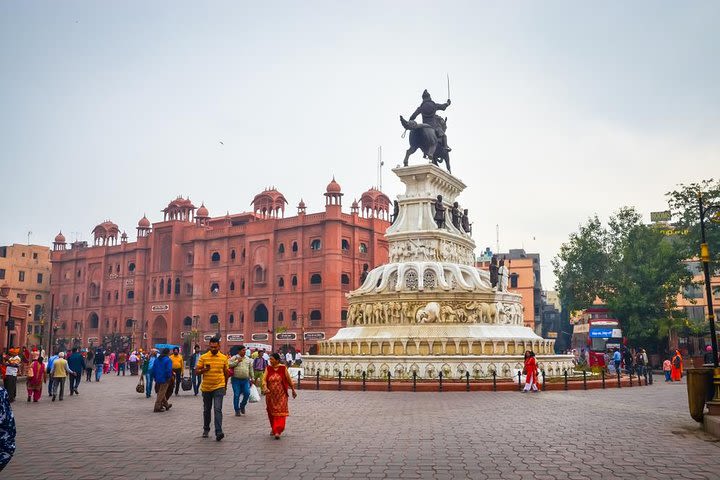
[561,110]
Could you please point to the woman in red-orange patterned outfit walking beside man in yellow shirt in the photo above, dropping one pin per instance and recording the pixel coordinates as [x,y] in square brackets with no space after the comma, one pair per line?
[275,384]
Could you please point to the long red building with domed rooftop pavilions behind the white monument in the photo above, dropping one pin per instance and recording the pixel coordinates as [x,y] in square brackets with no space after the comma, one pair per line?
[245,276]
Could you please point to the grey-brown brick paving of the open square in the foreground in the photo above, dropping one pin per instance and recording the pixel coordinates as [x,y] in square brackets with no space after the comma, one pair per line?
[110,431]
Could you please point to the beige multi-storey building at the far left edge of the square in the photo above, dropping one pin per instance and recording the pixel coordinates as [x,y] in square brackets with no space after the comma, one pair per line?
[25,269]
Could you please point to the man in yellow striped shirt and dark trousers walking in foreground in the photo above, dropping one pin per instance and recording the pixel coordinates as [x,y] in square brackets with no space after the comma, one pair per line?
[213,366]
